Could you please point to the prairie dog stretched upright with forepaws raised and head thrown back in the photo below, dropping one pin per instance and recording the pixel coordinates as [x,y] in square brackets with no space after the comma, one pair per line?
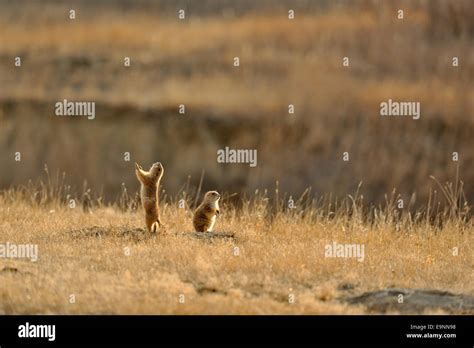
[149,194]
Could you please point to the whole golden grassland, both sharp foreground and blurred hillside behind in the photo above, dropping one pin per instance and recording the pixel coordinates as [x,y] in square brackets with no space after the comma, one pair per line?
[264,257]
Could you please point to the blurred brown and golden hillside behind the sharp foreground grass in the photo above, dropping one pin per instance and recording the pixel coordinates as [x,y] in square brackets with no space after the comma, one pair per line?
[282,62]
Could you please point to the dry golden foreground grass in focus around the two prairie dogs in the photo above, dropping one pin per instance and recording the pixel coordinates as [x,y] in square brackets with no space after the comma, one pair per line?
[281,252]
